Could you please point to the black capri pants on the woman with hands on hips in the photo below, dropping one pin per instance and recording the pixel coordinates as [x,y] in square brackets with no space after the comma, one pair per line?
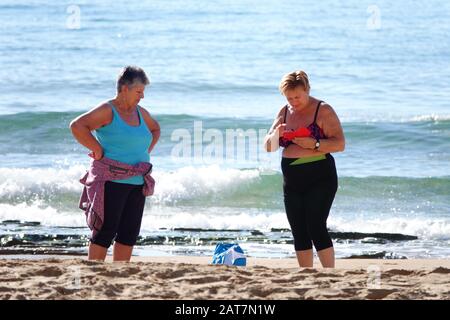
[124,207]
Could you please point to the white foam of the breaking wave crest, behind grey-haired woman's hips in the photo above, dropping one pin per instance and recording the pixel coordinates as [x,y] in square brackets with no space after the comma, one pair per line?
[171,186]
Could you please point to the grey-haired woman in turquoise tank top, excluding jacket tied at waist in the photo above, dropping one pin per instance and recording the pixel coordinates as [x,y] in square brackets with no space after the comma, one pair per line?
[125,132]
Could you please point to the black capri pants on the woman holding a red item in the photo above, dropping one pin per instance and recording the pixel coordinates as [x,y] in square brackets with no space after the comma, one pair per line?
[309,191]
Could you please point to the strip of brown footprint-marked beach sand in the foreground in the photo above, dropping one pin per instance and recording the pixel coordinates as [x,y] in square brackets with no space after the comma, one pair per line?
[184,277]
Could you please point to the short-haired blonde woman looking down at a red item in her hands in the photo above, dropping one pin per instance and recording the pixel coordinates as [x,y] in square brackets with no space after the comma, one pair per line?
[309,131]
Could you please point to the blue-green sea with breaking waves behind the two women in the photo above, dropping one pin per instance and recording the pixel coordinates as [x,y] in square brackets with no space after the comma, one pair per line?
[215,68]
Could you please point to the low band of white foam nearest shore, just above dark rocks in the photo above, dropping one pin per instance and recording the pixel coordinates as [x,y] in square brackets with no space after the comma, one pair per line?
[157,217]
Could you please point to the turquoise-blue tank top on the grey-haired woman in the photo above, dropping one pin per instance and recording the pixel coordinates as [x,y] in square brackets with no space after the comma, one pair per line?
[125,143]
